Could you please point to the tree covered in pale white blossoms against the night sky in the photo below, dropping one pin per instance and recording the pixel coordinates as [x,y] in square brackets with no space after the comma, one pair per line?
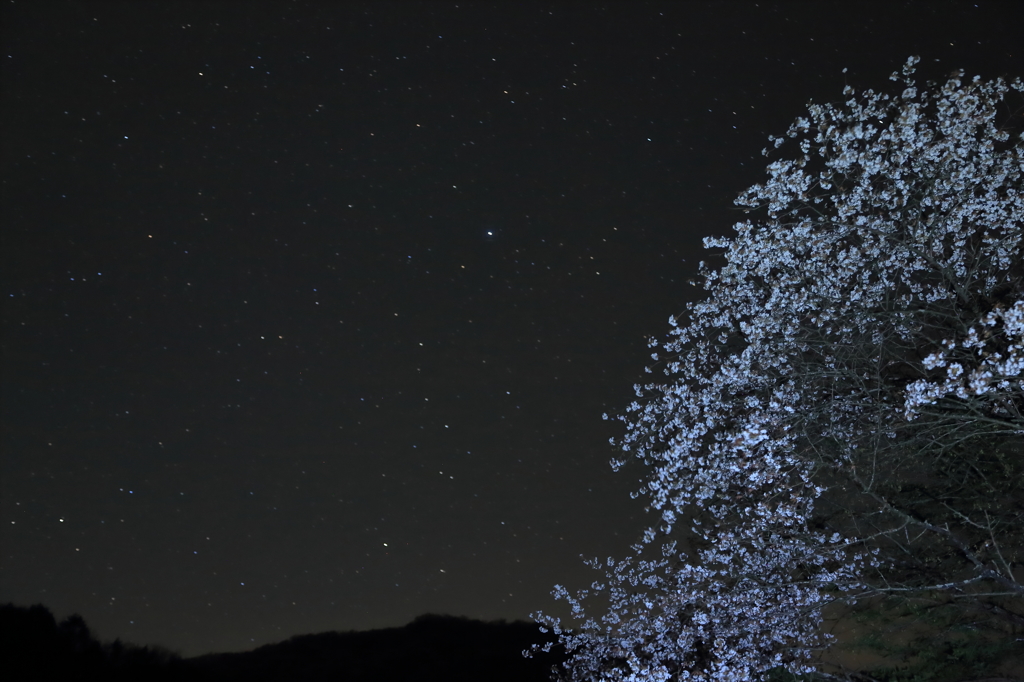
[842,414]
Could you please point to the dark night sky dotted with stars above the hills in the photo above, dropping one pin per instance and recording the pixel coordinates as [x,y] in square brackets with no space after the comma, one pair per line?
[311,312]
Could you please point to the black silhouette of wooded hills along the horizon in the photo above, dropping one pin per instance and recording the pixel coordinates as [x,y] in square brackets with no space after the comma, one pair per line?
[35,647]
